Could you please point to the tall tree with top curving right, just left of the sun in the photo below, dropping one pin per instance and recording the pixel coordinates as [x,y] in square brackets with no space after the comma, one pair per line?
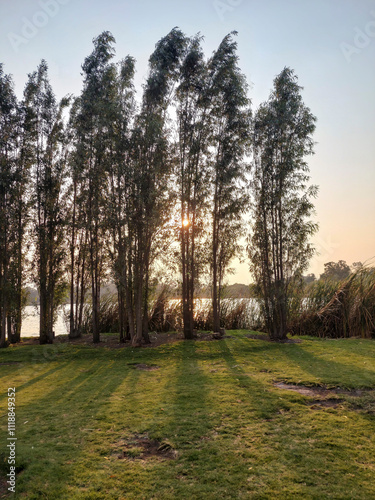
[152,168]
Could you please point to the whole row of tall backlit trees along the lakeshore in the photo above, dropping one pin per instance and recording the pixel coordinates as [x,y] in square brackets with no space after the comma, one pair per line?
[100,185]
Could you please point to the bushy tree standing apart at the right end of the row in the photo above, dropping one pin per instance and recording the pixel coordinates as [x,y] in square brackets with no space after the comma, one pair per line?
[279,245]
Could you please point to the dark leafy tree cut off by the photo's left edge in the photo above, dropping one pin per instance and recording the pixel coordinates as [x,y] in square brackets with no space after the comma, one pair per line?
[12,212]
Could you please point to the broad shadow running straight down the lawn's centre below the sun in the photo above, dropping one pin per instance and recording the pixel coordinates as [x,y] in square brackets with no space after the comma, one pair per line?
[202,464]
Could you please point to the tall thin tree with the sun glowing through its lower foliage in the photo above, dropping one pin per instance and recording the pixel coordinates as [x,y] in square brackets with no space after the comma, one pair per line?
[192,140]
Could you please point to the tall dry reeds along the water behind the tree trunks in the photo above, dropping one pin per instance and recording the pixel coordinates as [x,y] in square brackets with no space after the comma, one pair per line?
[323,309]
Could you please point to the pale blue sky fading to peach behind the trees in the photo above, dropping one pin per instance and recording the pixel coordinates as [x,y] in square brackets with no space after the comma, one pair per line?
[330,44]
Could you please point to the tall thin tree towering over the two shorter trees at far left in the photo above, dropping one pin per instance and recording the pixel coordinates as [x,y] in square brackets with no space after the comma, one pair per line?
[93,136]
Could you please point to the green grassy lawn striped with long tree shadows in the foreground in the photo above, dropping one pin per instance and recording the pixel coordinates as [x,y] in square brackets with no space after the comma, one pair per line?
[205,422]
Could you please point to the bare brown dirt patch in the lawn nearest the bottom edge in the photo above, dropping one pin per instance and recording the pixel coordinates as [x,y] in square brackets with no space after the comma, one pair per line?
[140,447]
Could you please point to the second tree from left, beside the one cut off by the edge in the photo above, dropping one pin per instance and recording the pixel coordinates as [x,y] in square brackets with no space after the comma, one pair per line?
[44,141]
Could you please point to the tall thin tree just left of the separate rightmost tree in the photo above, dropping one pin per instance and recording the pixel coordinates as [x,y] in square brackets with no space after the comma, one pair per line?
[229,138]
